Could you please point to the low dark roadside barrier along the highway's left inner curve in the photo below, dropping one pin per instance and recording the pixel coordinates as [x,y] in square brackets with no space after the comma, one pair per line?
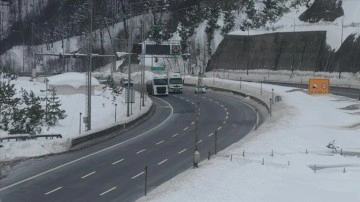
[113,131]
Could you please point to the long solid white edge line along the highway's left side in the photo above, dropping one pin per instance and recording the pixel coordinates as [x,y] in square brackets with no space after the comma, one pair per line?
[92,154]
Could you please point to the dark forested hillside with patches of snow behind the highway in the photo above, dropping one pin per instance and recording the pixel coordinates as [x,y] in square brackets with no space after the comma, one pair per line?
[34,22]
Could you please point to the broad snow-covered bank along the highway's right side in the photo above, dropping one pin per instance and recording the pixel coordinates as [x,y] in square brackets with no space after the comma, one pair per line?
[276,162]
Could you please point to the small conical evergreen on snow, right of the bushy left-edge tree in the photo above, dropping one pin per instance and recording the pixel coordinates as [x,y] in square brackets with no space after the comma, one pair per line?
[54,113]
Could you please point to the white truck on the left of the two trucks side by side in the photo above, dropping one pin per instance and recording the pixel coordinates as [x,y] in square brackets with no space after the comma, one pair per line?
[158,85]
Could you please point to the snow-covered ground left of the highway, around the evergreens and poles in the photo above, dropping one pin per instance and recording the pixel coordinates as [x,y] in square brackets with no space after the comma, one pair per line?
[103,116]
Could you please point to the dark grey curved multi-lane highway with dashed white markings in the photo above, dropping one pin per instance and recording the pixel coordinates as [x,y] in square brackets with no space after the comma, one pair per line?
[114,170]
